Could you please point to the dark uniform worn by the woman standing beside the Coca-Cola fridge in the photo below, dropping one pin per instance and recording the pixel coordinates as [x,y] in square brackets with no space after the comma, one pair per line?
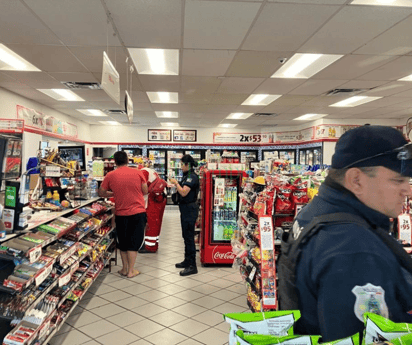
[188,215]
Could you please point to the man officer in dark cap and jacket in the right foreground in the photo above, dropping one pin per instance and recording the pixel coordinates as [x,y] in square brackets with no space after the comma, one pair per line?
[340,260]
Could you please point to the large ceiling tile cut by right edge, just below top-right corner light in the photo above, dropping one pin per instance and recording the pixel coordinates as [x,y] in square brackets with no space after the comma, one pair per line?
[395,41]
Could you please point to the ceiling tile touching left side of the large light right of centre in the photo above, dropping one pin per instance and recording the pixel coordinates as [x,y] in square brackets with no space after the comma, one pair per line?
[256,64]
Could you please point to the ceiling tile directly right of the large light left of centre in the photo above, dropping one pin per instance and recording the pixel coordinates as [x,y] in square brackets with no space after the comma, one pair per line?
[206,62]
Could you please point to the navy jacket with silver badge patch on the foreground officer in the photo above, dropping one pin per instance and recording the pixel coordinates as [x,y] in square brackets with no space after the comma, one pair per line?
[340,258]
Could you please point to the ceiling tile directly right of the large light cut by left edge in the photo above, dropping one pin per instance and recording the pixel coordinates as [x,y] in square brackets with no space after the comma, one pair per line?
[49,58]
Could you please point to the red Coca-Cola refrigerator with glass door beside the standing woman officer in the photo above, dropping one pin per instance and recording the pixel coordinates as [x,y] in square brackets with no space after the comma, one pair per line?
[220,206]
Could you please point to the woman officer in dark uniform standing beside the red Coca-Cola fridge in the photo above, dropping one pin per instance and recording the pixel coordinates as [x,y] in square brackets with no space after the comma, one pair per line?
[188,190]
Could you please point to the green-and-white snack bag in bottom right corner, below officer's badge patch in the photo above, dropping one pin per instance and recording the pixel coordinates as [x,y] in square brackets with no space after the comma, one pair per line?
[378,328]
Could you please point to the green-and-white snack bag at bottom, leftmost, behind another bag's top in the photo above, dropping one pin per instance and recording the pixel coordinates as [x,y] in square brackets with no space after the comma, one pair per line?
[277,323]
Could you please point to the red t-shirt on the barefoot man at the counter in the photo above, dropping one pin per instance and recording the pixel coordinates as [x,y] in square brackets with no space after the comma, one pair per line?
[126,184]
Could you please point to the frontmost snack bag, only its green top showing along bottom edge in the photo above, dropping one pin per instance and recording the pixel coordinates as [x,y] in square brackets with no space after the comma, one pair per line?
[259,339]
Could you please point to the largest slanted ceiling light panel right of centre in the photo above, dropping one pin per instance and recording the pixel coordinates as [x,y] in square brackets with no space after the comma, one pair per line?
[305,65]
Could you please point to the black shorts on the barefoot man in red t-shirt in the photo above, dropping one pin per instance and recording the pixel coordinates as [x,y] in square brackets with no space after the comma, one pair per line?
[130,231]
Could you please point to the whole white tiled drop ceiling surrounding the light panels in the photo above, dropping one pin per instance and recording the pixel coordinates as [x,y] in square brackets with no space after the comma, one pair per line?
[228,50]
